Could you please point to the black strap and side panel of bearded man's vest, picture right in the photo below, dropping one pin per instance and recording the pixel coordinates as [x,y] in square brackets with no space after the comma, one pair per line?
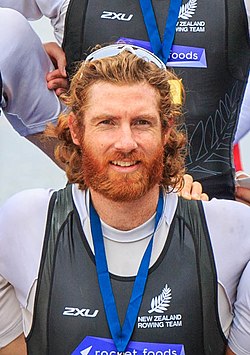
[191,213]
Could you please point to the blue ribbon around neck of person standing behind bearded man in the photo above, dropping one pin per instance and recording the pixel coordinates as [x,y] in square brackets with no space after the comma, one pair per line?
[162,50]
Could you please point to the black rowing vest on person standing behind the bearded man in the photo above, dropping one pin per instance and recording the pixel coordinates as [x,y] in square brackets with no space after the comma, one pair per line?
[219,30]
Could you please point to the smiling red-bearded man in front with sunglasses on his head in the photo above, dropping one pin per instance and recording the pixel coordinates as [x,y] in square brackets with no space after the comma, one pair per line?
[116,262]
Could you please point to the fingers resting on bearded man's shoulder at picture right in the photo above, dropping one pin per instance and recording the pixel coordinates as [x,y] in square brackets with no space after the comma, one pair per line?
[192,190]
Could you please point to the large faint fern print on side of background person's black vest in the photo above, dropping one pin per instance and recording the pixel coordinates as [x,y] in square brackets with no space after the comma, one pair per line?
[217,129]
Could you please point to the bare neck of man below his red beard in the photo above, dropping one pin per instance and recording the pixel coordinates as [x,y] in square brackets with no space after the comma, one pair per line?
[126,215]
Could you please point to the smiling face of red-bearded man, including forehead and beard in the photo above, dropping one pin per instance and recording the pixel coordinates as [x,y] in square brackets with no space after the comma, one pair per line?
[123,142]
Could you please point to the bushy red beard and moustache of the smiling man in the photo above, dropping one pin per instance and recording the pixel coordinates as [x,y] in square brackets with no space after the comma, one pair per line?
[116,186]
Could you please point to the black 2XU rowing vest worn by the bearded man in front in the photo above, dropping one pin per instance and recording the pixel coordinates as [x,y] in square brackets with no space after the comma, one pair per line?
[68,305]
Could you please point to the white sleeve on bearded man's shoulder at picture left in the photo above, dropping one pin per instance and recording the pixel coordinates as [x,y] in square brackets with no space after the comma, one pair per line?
[22,226]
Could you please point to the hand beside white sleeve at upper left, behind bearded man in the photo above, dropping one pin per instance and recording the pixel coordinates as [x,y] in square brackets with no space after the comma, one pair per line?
[57,79]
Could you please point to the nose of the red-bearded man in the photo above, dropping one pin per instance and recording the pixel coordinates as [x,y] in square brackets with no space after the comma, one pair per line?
[125,139]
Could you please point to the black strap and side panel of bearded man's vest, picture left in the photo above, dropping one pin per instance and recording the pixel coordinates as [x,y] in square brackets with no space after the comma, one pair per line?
[57,217]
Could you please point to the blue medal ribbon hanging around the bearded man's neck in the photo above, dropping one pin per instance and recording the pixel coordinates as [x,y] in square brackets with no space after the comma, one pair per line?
[120,335]
